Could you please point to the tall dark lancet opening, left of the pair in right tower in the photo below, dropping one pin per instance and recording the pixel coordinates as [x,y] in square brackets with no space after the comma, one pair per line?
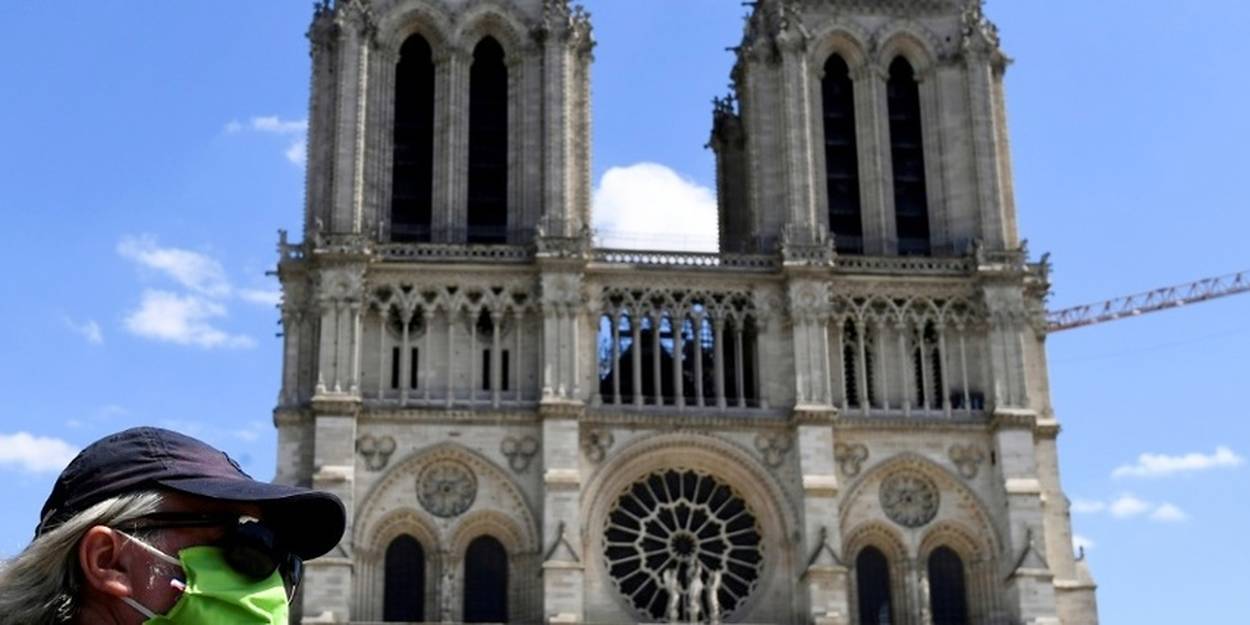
[842,158]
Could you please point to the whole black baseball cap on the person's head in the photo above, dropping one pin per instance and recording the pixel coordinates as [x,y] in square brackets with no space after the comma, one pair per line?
[309,523]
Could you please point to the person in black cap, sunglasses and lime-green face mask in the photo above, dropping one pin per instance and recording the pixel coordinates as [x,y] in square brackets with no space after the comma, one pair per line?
[151,527]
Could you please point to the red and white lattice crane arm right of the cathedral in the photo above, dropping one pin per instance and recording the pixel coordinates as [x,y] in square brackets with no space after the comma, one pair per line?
[1151,302]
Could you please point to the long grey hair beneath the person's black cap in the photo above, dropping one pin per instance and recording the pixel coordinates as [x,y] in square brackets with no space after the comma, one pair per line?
[42,586]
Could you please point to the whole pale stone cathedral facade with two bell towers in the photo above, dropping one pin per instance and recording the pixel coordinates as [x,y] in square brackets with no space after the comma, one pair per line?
[841,418]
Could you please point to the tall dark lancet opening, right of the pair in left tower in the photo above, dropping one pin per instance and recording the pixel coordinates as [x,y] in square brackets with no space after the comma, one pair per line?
[488,144]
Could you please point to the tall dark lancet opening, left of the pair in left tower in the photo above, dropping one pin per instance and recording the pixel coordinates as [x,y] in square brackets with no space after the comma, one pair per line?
[413,173]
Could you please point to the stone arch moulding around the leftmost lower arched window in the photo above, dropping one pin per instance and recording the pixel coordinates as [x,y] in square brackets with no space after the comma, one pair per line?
[371,553]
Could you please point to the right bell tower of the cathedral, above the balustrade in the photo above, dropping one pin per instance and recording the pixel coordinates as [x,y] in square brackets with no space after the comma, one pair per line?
[878,126]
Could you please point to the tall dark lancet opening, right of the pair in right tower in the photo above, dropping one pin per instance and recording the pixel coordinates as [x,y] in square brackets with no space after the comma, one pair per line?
[908,153]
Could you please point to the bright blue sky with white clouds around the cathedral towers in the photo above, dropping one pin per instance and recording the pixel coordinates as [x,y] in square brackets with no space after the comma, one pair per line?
[149,152]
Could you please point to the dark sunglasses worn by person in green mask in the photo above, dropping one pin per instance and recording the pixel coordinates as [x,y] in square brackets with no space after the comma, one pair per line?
[251,548]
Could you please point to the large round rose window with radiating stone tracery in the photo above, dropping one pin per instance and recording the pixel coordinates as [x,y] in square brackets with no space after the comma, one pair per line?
[671,521]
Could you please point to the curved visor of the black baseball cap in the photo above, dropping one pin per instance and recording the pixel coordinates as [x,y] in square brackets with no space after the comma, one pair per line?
[308,522]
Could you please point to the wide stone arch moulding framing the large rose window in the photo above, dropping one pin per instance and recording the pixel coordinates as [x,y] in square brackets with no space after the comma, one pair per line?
[737,468]
